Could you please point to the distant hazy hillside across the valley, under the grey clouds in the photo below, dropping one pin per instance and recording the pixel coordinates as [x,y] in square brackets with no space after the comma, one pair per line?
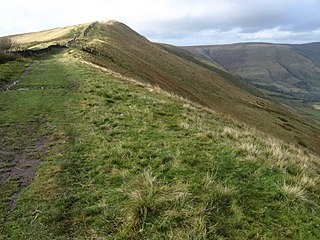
[289,73]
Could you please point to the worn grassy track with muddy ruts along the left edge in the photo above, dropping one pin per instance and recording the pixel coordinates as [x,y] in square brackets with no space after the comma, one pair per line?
[26,127]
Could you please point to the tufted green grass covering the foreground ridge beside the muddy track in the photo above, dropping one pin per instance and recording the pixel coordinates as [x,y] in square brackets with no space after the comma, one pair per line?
[129,161]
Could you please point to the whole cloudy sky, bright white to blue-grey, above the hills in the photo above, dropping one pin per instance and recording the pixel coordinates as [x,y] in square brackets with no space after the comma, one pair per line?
[179,22]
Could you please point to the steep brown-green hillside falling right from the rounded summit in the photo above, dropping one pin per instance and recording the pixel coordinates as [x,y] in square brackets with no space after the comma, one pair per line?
[116,47]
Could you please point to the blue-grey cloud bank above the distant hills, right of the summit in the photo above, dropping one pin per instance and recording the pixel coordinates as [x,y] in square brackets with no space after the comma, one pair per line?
[276,21]
